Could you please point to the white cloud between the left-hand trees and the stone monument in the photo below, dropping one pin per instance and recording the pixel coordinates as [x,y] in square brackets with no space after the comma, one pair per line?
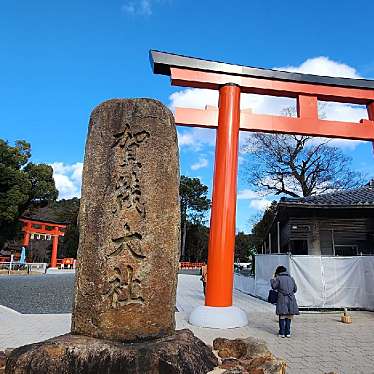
[68,179]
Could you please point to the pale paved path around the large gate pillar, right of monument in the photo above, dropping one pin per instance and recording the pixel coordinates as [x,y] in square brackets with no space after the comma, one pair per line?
[320,343]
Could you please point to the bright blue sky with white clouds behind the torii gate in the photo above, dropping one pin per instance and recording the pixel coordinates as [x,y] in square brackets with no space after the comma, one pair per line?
[59,59]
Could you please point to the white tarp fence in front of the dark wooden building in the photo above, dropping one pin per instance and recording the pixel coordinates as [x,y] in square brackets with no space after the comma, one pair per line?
[322,281]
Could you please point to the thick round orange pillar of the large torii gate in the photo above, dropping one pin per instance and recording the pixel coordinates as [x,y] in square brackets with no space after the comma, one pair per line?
[222,224]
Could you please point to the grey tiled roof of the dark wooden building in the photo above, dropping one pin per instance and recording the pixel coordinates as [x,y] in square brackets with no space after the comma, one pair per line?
[363,196]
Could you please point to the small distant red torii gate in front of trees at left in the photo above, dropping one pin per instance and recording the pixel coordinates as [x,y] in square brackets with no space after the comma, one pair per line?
[53,229]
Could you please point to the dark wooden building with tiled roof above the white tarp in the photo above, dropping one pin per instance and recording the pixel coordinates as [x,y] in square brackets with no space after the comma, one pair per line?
[337,224]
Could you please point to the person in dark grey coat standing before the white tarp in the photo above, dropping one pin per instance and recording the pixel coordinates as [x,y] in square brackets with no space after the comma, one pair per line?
[286,303]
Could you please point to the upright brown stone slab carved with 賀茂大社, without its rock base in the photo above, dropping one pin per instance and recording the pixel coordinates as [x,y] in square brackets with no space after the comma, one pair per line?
[129,220]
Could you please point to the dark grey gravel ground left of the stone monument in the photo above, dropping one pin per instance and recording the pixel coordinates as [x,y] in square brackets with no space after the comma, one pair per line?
[37,294]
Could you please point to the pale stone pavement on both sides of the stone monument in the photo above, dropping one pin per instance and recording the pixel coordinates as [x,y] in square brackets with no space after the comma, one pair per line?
[320,342]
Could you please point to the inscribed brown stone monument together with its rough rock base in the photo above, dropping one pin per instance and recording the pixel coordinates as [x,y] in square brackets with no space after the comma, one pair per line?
[123,314]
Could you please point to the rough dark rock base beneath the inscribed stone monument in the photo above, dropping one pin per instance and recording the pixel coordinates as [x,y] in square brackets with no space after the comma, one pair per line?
[68,354]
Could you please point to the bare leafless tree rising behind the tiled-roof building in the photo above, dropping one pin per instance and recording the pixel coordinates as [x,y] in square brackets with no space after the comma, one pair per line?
[297,165]
